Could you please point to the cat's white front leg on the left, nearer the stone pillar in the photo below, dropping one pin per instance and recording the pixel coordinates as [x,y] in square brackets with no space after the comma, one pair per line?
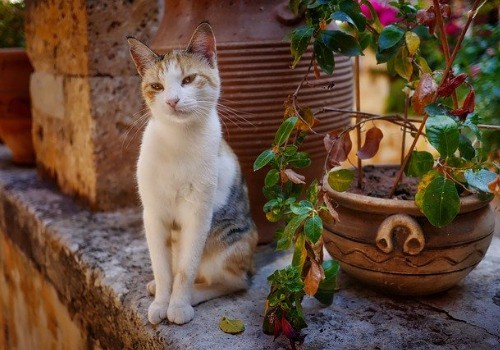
[156,236]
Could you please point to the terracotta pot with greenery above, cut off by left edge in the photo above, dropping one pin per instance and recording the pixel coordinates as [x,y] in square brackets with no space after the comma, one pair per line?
[15,71]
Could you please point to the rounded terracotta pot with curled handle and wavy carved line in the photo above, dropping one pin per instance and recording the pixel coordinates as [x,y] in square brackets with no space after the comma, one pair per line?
[389,244]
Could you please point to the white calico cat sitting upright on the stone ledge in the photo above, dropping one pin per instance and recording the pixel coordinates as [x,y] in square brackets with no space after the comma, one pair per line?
[200,234]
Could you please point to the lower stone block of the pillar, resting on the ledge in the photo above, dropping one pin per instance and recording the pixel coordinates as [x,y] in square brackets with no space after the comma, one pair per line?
[91,151]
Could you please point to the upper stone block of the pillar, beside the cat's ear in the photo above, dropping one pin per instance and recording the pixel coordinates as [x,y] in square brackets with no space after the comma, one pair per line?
[85,37]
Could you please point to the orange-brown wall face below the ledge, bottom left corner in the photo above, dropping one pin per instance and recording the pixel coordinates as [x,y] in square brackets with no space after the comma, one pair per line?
[32,315]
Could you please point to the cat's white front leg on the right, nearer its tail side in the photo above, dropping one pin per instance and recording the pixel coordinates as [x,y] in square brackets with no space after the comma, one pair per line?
[195,223]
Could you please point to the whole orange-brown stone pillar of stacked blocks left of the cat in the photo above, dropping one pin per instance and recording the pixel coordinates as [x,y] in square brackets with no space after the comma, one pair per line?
[85,94]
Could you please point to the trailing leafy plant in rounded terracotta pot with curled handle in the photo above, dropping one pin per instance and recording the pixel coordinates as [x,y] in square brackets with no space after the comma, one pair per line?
[433,224]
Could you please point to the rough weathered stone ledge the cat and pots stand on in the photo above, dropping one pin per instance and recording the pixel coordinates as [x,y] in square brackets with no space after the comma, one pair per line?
[99,265]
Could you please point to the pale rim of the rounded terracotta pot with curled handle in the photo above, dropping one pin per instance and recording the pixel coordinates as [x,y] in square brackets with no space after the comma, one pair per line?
[391,206]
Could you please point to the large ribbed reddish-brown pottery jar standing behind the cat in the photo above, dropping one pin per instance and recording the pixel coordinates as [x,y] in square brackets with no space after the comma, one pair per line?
[254,63]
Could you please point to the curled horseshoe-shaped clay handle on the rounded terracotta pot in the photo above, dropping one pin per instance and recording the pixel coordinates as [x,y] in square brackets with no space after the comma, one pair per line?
[413,244]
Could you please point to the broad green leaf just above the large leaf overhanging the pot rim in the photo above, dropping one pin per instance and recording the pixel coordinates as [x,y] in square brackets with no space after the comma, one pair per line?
[442,133]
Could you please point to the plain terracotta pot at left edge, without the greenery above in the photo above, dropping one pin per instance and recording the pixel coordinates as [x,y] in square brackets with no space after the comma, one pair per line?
[15,109]
